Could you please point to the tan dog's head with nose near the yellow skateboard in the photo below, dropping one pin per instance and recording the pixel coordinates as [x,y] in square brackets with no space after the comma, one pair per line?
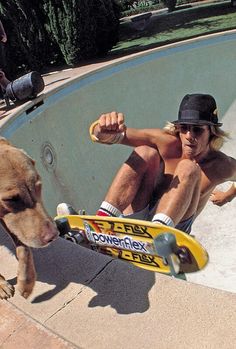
[21,207]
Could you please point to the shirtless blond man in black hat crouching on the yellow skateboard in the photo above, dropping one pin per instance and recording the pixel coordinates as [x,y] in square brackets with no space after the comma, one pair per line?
[172,172]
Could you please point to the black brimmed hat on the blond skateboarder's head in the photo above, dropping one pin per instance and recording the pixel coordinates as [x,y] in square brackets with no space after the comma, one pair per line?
[198,109]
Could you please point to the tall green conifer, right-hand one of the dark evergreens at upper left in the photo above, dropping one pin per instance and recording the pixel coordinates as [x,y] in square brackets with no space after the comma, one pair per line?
[82,29]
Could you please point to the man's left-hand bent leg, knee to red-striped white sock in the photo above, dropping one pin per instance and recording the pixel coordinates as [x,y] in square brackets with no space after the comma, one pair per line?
[134,183]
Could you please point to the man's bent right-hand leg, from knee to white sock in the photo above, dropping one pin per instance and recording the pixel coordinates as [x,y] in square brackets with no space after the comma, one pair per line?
[181,200]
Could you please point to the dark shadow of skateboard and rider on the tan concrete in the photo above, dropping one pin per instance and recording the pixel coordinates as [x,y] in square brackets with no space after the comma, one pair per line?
[116,283]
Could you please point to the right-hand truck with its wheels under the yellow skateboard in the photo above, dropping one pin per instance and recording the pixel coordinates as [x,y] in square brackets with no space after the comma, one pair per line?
[167,248]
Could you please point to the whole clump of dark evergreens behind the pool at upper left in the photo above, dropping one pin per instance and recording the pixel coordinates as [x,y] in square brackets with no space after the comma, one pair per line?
[41,33]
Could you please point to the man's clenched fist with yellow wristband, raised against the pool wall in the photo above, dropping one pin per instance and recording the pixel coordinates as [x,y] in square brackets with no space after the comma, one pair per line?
[109,128]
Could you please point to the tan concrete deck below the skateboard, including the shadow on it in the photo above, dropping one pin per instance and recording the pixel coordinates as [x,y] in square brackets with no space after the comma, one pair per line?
[96,302]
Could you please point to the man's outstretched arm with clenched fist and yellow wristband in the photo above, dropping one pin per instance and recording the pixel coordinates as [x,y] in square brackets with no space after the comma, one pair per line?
[110,128]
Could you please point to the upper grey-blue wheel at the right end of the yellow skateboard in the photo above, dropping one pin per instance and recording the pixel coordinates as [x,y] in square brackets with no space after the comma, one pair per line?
[165,244]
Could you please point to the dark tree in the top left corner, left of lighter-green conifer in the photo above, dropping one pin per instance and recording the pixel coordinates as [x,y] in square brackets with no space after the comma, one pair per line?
[28,41]
